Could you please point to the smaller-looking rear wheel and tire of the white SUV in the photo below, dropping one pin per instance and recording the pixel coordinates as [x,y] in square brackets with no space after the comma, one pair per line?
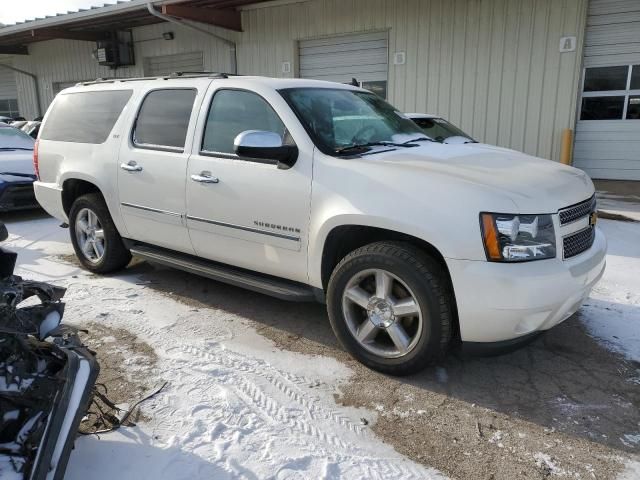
[94,236]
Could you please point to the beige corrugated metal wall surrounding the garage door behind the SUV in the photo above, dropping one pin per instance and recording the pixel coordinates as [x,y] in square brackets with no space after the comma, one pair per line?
[491,66]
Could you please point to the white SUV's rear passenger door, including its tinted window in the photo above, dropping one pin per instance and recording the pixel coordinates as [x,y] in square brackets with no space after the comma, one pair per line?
[153,163]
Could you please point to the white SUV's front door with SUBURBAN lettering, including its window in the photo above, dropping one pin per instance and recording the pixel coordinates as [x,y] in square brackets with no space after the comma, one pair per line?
[244,212]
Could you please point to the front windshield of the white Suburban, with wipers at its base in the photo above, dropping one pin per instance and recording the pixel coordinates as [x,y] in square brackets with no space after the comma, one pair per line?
[337,119]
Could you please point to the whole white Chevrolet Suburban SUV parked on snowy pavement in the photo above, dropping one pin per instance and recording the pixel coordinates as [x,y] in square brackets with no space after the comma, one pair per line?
[312,190]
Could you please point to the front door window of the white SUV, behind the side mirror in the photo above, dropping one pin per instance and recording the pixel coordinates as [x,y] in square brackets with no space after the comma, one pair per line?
[233,112]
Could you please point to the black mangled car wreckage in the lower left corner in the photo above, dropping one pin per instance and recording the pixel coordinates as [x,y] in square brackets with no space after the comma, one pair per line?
[46,377]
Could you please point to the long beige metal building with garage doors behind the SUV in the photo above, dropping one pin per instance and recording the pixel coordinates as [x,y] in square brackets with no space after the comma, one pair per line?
[510,72]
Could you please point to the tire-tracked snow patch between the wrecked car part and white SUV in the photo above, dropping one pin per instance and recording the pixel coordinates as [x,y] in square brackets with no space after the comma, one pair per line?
[234,406]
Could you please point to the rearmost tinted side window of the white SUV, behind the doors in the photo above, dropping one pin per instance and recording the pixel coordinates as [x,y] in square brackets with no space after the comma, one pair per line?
[85,117]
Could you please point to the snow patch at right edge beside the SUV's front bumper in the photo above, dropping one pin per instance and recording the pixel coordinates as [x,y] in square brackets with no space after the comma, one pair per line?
[612,314]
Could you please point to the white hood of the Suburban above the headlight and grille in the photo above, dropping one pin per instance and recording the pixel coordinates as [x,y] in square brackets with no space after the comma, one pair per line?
[534,184]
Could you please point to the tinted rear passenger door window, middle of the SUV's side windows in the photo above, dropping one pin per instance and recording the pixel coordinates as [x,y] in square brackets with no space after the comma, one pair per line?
[163,119]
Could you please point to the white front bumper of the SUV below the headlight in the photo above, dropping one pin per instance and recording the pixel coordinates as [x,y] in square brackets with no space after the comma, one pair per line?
[501,302]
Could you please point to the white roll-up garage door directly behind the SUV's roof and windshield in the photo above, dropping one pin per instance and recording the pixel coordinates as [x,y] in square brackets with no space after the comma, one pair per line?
[345,57]
